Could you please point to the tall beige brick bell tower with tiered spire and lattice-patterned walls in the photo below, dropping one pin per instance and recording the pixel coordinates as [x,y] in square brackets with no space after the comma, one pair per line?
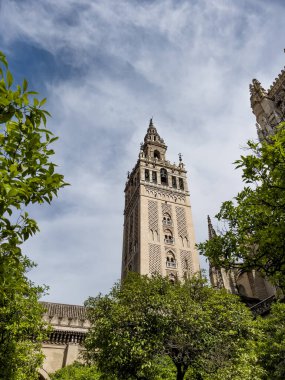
[158,228]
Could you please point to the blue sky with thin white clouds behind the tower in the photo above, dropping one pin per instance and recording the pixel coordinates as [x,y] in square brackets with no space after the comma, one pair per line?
[106,67]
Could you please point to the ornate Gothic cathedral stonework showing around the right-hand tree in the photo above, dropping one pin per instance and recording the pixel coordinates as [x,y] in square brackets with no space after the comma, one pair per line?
[268,106]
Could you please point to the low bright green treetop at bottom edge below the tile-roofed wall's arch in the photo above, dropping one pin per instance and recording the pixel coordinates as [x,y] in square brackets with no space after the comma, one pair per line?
[76,371]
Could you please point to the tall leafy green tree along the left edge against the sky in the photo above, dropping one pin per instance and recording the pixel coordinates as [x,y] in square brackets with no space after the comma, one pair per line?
[27,176]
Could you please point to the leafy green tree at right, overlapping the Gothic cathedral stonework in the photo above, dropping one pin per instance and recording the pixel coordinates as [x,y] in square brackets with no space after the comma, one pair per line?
[253,233]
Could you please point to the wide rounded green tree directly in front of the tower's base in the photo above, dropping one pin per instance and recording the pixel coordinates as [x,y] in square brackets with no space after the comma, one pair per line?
[144,319]
